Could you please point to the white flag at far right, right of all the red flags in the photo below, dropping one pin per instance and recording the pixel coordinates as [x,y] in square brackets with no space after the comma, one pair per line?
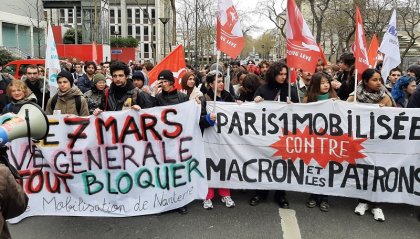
[390,47]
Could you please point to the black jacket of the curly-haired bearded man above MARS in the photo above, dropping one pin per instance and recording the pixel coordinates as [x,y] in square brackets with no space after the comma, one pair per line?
[117,96]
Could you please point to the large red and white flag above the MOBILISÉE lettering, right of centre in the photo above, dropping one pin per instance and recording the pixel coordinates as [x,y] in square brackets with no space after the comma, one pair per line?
[302,50]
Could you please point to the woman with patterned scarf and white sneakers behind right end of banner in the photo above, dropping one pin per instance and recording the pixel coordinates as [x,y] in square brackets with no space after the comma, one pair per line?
[371,90]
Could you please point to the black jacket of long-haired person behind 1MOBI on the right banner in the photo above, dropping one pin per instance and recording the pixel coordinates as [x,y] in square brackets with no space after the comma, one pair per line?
[272,90]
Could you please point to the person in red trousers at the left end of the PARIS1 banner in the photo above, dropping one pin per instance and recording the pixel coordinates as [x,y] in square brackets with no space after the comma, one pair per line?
[208,120]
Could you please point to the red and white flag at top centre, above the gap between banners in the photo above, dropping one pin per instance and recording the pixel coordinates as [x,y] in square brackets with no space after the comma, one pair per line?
[230,39]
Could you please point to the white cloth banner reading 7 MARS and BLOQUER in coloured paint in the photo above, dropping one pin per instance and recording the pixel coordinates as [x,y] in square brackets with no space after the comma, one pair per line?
[115,165]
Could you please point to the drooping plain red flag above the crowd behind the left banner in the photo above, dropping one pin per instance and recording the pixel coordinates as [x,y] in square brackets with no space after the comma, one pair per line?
[174,62]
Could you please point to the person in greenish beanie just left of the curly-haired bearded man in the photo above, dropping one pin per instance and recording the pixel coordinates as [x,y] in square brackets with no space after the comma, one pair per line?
[96,93]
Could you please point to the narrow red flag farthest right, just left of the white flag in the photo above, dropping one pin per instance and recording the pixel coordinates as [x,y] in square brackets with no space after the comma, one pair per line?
[360,51]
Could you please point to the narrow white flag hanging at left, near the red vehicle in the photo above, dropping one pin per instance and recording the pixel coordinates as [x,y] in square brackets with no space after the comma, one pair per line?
[52,63]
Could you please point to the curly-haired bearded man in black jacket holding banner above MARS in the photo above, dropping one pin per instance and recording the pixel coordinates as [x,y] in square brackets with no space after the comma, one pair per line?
[123,94]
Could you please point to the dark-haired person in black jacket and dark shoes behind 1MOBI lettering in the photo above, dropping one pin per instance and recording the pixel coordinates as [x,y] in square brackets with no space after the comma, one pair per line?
[276,89]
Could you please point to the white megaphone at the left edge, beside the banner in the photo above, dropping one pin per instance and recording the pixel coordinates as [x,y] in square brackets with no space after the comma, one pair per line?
[30,121]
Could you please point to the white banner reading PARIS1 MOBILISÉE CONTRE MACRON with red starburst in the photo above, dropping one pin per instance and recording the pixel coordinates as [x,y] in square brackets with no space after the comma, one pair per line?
[328,147]
